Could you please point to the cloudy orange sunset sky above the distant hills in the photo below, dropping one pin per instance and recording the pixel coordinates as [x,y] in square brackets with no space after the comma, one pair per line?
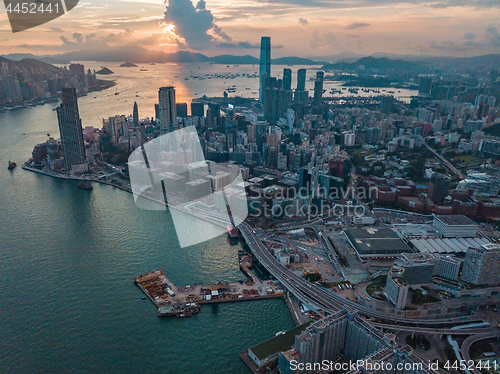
[296,27]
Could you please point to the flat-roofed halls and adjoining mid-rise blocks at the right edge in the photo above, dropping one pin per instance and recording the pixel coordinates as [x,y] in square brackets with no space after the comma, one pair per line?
[447,255]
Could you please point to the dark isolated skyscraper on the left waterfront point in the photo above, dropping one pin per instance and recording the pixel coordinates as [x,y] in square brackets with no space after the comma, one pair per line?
[70,128]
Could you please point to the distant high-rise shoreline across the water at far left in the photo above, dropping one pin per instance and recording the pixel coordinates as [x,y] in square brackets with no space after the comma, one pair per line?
[31,82]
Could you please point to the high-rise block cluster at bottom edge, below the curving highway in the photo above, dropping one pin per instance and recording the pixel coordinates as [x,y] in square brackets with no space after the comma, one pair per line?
[342,339]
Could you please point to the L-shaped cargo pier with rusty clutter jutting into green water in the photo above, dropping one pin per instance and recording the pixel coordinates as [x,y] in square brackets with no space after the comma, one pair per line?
[173,301]
